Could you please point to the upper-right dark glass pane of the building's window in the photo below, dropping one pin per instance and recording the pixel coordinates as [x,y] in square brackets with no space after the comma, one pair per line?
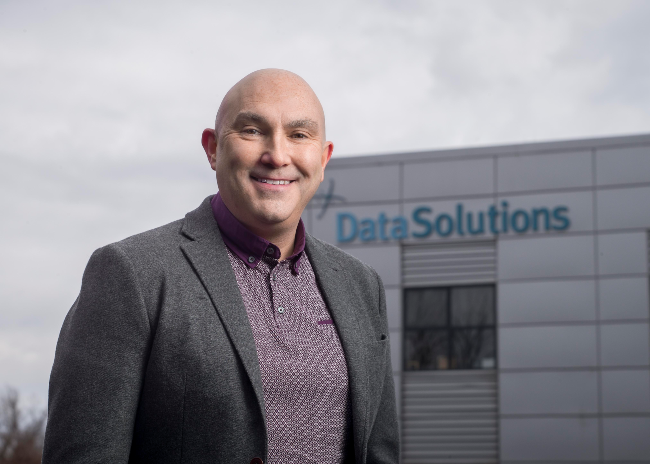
[472,306]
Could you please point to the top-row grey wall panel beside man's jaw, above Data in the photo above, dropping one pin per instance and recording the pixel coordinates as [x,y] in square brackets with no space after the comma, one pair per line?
[369,183]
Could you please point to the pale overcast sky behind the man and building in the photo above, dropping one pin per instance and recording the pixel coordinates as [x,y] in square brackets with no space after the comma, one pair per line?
[102,105]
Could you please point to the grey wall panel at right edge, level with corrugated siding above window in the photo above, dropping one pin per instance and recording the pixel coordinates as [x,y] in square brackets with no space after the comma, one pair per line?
[623,253]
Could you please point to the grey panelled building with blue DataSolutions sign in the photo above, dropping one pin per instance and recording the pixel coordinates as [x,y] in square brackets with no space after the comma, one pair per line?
[517,290]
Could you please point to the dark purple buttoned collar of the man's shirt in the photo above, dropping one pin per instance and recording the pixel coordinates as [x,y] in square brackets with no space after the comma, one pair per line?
[249,247]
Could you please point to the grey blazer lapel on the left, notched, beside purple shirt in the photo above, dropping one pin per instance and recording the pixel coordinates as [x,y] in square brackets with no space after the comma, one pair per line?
[208,255]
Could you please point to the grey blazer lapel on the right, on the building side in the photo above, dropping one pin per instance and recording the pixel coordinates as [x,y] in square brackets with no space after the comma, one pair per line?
[332,280]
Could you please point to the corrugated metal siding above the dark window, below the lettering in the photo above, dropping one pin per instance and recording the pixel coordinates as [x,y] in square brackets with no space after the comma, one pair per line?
[448,263]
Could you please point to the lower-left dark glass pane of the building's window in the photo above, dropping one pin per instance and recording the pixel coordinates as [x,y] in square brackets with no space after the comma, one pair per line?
[426,350]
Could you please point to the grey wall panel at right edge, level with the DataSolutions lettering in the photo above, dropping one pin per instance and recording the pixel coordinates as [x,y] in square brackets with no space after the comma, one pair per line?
[623,208]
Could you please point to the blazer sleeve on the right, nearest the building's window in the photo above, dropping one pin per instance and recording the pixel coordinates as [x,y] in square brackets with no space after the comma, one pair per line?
[384,442]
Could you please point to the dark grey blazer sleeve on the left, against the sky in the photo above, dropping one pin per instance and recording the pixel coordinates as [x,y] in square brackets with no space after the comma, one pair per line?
[99,366]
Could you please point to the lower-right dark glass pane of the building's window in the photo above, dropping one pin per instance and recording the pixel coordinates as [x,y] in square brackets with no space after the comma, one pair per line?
[473,349]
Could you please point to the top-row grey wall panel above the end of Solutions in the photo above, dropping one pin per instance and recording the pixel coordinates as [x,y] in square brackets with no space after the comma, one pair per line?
[547,171]
